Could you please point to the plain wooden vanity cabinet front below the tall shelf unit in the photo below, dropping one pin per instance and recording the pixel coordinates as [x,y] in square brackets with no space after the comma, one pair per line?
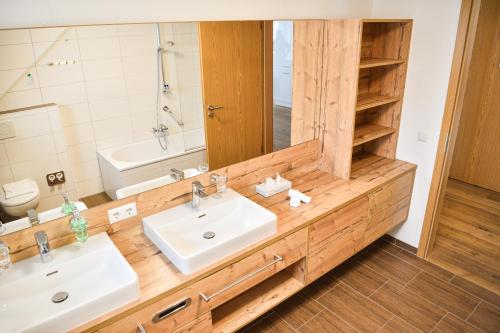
[340,235]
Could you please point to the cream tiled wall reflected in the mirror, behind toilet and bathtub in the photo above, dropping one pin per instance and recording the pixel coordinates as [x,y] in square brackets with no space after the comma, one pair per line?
[103,82]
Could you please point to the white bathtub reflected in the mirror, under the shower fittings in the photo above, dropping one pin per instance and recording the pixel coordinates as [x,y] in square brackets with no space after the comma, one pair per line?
[142,161]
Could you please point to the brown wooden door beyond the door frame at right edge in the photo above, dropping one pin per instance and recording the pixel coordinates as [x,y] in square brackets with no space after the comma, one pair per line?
[476,158]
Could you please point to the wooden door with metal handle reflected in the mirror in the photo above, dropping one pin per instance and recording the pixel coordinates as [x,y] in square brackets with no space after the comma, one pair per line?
[232,59]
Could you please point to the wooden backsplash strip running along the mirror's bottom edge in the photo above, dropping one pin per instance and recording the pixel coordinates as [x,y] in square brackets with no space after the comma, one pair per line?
[253,171]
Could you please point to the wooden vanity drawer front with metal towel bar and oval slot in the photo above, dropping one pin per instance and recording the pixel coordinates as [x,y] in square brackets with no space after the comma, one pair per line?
[176,312]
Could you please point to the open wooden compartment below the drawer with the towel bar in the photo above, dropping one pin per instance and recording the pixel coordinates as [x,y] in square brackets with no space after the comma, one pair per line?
[238,312]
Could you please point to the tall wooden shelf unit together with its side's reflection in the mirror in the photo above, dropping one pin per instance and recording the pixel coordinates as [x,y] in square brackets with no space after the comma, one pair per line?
[349,72]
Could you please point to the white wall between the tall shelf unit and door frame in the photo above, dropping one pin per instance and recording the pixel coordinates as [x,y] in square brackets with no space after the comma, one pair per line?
[433,39]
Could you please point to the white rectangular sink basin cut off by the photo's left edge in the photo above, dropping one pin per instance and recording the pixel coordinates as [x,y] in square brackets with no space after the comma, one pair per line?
[96,276]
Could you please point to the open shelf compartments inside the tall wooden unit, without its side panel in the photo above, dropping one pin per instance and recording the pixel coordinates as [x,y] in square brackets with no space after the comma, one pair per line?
[381,79]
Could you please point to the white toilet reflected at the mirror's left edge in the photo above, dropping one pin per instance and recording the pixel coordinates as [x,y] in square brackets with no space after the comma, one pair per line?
[18,205]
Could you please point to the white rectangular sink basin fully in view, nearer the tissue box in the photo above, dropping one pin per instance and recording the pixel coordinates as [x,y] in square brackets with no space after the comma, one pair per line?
[236,221]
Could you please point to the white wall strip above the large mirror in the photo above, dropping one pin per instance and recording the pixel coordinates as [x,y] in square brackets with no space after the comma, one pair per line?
[31,13]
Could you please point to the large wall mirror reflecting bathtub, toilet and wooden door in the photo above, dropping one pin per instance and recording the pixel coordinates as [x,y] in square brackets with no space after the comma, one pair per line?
[105,112]
